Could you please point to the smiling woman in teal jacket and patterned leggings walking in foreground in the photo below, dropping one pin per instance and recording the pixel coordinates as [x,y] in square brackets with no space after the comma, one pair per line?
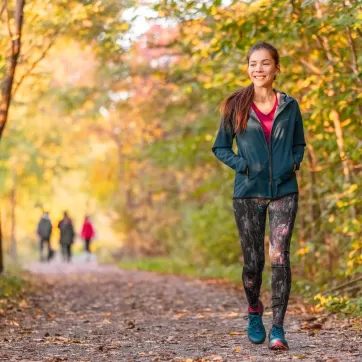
[268,128]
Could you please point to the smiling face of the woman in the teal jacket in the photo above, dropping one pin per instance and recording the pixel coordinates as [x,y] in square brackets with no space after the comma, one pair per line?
[262,68]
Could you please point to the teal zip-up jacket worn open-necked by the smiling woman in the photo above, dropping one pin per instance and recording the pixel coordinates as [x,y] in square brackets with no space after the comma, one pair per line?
[262,169]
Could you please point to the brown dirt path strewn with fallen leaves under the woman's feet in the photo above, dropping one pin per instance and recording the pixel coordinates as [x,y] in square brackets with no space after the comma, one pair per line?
[84,312]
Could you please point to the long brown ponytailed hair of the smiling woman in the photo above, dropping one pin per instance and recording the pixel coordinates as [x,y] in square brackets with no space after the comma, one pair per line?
[236,107]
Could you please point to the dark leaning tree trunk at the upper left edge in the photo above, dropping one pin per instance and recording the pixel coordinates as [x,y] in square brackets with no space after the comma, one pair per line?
[11,64]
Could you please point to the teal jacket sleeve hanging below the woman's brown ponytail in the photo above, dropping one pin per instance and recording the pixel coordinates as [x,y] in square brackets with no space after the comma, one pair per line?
[222,149]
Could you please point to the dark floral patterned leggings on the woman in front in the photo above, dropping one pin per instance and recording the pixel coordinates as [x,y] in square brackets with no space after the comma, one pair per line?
[250,216]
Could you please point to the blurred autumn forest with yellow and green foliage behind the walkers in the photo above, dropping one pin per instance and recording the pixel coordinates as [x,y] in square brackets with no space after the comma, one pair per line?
[114,113]
